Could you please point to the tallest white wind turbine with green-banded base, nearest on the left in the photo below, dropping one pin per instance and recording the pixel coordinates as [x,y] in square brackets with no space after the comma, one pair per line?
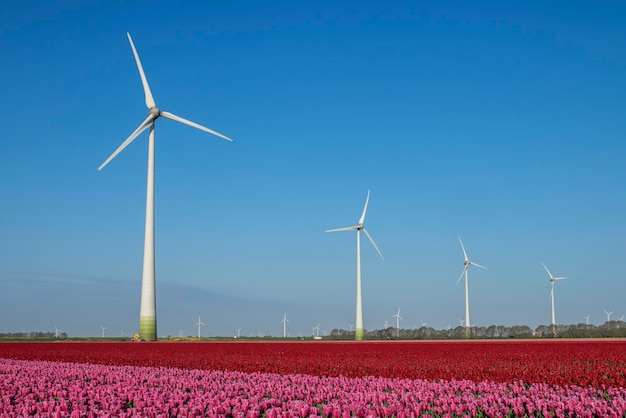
[147,312]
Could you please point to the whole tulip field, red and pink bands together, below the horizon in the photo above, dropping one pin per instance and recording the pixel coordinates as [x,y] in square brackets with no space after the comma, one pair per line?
[298,379]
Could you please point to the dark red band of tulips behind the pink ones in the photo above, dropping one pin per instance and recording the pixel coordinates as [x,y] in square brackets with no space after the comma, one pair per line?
[598,363]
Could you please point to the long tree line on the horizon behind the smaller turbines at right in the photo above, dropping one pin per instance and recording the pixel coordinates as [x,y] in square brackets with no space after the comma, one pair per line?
[610,329]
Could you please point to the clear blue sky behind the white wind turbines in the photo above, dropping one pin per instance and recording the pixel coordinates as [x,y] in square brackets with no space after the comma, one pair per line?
[501,122]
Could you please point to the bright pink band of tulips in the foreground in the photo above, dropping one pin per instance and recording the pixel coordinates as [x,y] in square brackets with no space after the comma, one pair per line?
[51,389]
